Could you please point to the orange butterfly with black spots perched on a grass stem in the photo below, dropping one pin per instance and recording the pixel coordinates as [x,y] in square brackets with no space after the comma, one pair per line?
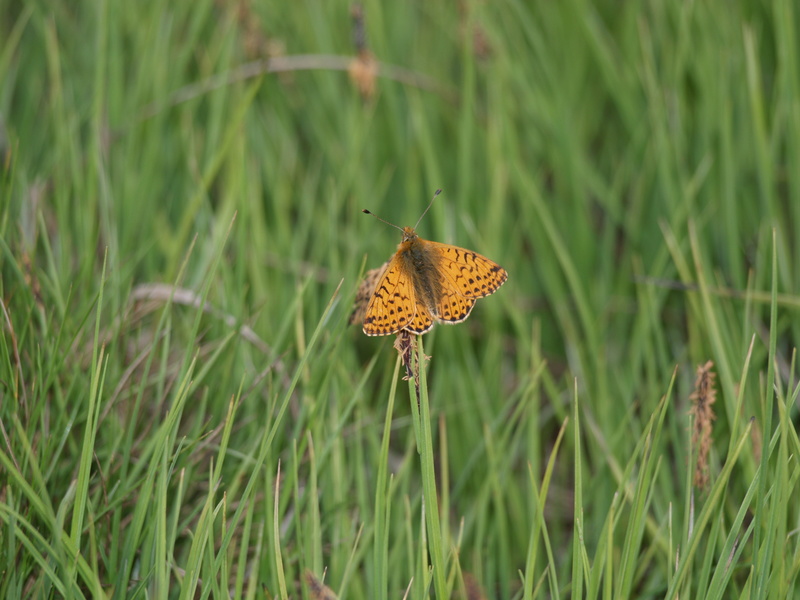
[424,282]
